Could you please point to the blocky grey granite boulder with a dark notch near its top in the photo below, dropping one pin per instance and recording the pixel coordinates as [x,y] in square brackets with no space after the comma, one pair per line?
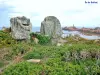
[20,28]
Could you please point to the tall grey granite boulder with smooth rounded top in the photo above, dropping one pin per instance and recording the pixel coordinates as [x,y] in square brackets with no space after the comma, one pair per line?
[51,26]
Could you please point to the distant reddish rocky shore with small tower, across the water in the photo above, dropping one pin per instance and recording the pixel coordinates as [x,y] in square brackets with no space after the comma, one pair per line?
[83,29]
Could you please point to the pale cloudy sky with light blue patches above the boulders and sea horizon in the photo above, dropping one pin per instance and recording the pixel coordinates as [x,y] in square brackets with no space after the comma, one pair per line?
[69,12]
